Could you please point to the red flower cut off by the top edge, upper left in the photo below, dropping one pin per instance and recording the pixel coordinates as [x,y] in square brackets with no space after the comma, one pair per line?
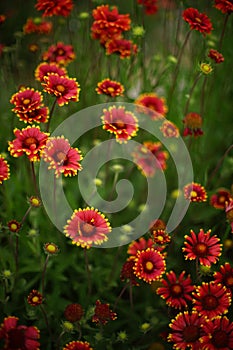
[55,7]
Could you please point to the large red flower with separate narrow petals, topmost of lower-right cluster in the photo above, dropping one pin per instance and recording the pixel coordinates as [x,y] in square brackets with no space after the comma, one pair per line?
[202,247]
